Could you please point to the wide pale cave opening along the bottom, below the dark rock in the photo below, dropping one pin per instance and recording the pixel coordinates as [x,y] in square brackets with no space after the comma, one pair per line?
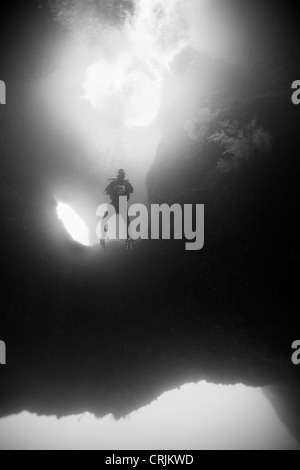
[193,417]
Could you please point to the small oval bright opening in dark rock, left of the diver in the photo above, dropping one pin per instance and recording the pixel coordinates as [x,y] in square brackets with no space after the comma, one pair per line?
[73,224]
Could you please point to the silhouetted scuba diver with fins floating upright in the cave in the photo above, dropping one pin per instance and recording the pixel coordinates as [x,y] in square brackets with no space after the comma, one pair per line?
[117,188]
